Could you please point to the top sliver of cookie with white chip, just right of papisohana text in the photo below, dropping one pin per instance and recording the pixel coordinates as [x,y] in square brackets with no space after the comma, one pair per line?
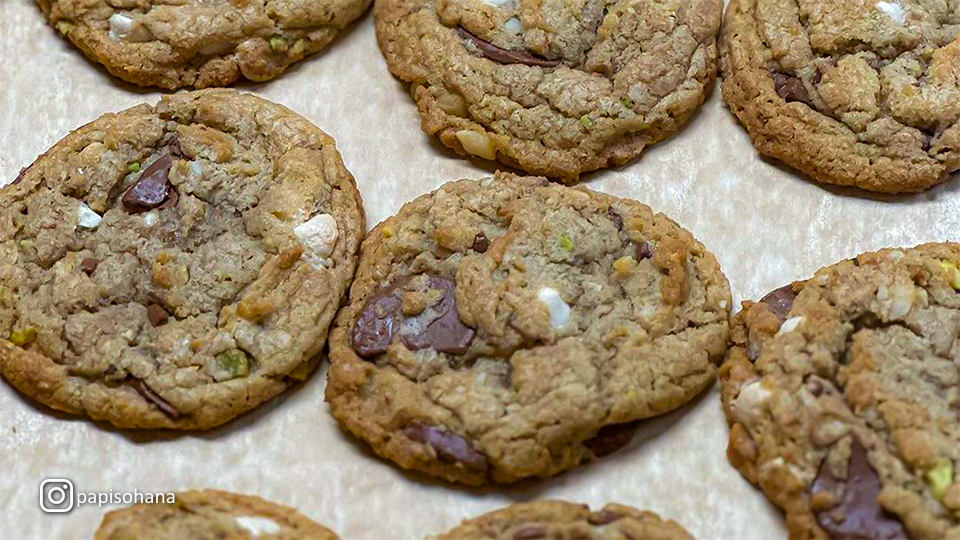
[210,515]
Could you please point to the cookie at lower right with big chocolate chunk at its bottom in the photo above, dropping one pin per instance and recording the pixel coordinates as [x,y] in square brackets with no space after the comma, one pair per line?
[843,397]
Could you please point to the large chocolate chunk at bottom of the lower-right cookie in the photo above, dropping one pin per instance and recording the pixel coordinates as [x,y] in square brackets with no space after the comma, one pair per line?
[862,516]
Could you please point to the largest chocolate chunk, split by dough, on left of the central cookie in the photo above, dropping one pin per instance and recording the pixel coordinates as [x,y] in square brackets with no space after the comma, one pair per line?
[382,315]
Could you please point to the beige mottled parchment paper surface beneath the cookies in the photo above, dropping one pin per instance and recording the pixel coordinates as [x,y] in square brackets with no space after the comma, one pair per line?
[766,225]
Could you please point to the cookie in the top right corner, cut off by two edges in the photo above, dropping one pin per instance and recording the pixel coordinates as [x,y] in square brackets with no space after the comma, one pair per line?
[860,94]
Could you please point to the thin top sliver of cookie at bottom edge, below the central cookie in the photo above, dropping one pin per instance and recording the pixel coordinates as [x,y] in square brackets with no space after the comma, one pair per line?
[550,520]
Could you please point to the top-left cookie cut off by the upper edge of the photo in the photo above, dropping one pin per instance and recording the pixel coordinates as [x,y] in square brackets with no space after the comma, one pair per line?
[199,43]
